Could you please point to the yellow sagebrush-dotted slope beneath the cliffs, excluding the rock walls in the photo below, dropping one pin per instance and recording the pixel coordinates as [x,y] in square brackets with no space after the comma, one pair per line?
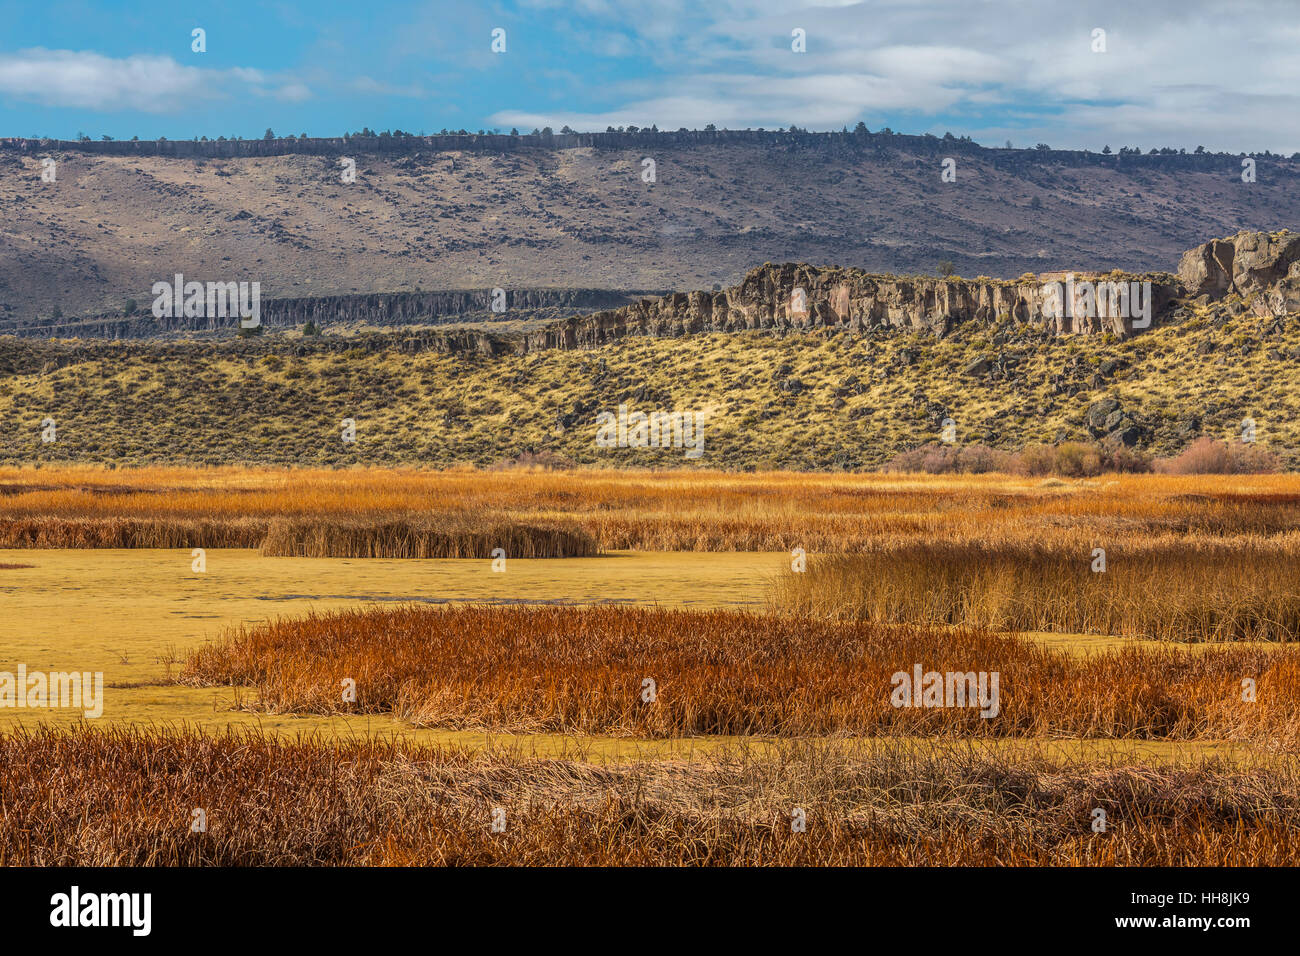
[812,400]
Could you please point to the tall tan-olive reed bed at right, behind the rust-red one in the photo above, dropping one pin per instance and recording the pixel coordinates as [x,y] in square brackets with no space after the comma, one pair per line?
[1246,590]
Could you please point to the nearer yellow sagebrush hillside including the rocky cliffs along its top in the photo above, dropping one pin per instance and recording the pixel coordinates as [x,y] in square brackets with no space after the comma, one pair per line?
[873,366]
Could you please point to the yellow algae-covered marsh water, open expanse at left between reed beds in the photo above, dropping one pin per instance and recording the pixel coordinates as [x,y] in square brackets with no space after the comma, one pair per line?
[123,612]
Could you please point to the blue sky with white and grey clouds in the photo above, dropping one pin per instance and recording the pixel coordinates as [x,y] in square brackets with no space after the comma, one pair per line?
[1181,73]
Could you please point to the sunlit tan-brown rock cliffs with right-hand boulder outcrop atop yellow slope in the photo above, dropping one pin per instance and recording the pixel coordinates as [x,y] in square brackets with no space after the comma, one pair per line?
[1256,271]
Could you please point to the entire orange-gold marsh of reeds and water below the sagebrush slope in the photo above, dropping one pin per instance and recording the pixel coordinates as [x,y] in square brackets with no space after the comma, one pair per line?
[757,715]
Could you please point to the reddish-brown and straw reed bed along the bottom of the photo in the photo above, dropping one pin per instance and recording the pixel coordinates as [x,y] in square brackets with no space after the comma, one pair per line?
[125,798]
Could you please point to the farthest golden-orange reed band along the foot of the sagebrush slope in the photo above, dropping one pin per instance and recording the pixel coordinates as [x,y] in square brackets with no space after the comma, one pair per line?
[623,511]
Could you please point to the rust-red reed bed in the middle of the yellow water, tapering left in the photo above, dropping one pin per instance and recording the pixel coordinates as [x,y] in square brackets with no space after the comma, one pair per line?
[584,671]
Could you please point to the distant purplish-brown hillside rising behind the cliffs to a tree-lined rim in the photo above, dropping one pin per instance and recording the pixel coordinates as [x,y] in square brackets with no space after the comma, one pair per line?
[474,214]
